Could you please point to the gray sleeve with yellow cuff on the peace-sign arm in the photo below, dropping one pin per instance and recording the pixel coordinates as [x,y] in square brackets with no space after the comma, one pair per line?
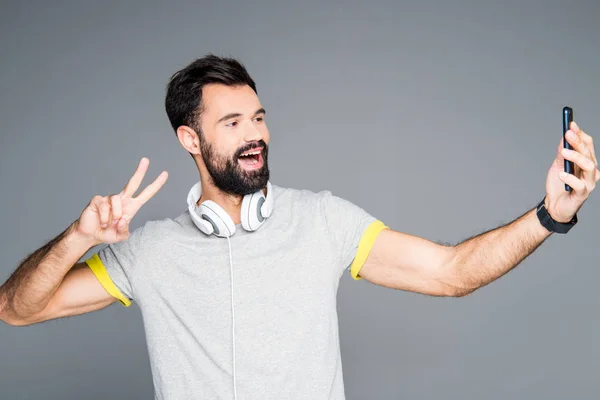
[114,266]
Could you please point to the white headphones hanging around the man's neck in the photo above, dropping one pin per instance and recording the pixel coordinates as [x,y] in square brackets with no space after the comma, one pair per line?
[211,219]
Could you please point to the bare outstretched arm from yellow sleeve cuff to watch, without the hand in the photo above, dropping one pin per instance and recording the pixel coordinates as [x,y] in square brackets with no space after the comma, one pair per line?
[401,261]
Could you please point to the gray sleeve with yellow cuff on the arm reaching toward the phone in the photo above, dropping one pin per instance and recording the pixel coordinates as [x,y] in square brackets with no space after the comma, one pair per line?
[352,231]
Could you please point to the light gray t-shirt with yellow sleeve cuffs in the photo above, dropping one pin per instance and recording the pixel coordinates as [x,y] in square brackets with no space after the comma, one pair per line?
[286,276]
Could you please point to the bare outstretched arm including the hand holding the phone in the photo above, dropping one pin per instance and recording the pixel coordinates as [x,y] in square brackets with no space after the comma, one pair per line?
[406,262]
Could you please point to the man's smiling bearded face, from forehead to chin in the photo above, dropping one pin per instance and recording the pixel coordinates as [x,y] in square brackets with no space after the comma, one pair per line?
[234,139]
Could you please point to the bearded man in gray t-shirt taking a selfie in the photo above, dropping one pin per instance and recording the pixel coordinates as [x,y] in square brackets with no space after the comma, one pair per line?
[238,307]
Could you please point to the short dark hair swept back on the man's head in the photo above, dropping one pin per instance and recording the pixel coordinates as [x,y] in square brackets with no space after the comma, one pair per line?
[183,101]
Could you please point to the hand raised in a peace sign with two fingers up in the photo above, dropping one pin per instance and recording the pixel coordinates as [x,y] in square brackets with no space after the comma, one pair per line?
[106,219]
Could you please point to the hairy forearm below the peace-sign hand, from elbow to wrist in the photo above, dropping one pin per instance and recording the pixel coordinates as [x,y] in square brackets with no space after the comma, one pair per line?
[32,284]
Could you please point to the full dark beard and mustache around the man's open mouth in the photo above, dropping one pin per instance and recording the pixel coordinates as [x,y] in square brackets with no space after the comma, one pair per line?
[227,174]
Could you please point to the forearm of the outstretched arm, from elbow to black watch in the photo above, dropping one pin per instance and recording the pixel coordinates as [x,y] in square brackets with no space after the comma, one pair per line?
[486,257]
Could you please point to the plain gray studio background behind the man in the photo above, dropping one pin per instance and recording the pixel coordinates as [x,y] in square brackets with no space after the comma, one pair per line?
[440,118]
